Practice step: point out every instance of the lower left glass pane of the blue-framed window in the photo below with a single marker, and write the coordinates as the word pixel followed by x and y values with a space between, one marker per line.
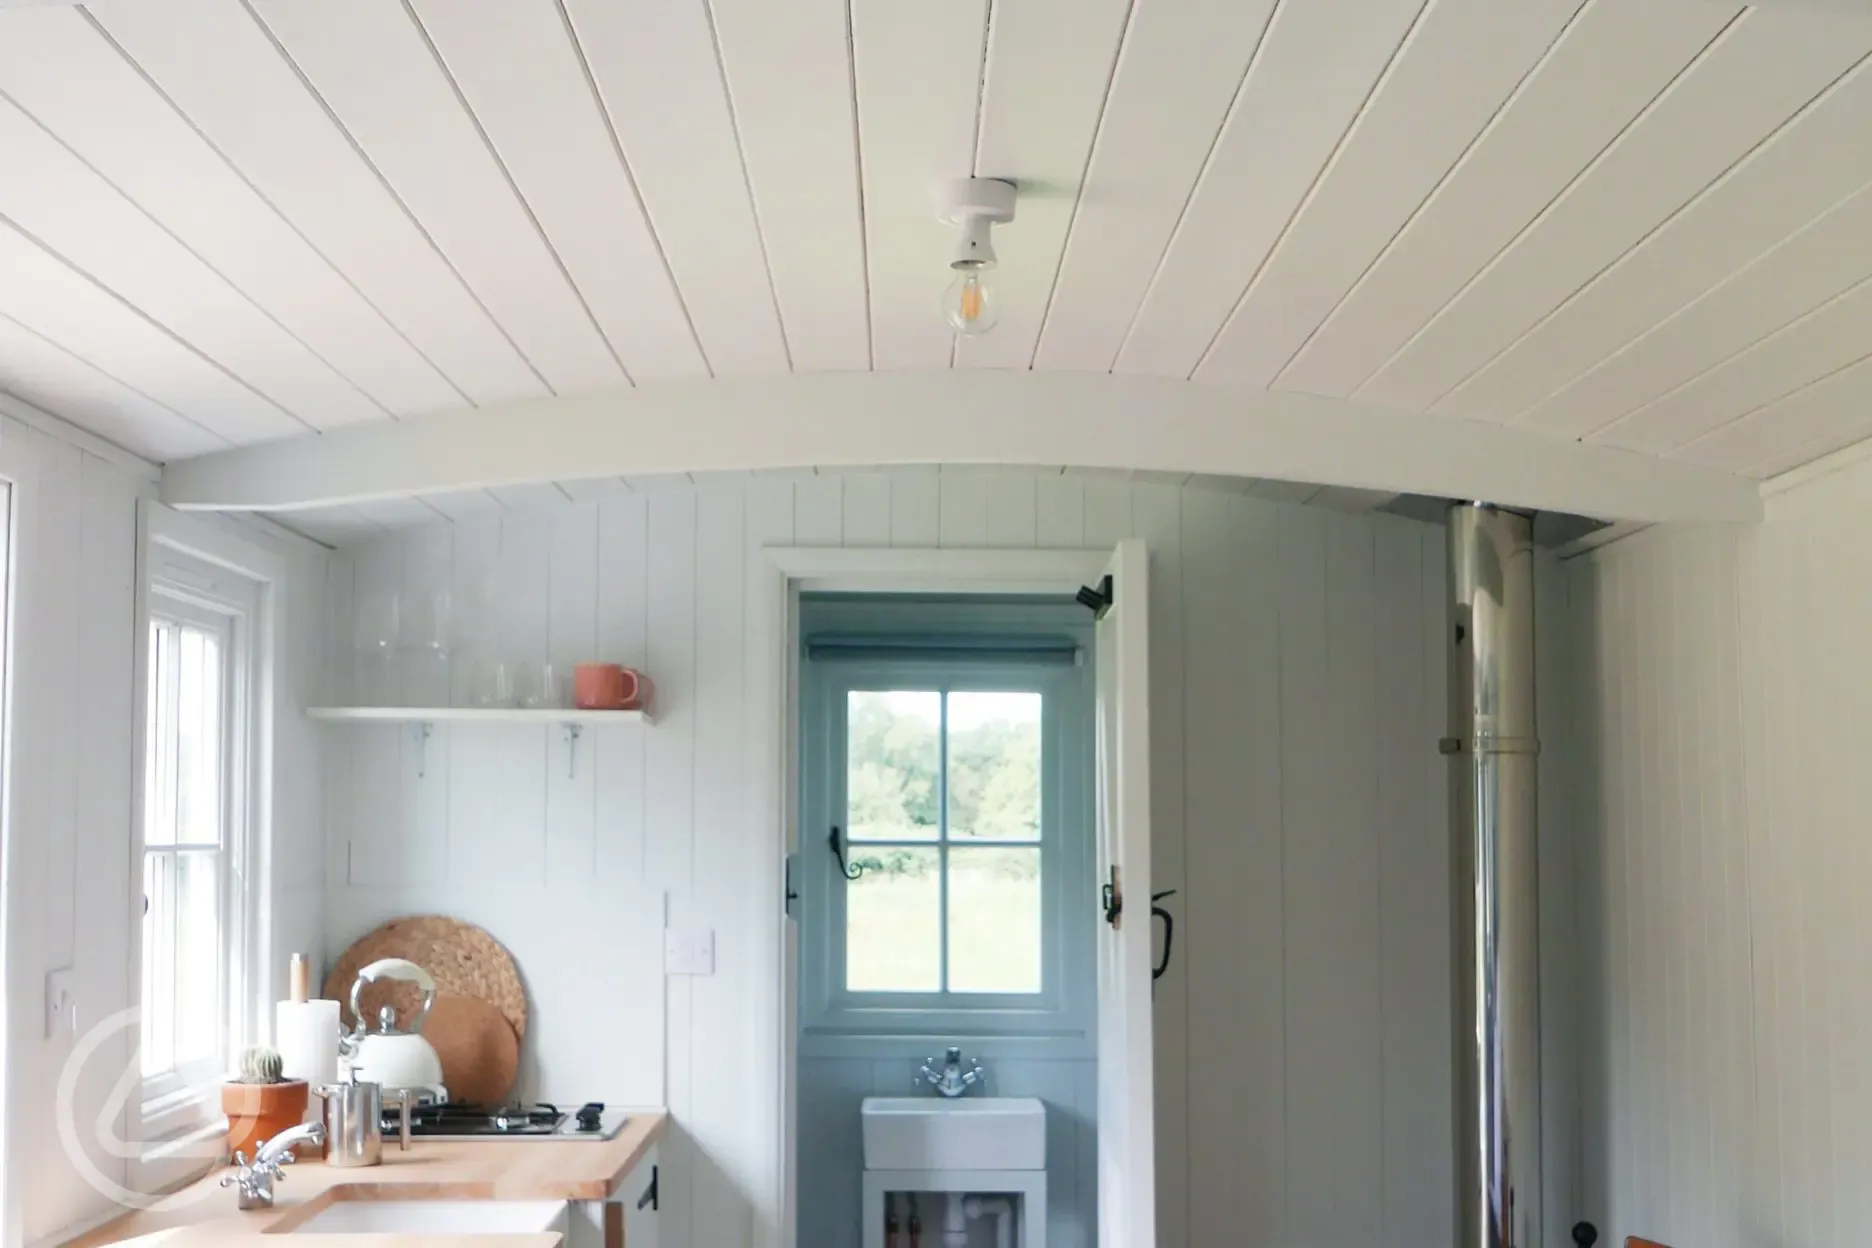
pixel 894 921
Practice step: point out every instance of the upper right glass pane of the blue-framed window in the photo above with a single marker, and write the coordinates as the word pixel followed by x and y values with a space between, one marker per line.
pixel 995 766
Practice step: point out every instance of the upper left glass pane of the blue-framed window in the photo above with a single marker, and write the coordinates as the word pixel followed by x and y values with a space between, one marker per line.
pixel 892 766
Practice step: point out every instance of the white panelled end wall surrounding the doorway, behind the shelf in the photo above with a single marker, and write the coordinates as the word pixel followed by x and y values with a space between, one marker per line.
pixel 1296 704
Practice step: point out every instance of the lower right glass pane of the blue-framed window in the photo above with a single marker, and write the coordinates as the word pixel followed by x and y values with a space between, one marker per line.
pixel 995 920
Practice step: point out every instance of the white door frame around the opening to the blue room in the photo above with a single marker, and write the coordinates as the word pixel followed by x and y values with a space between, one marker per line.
pixel 774 697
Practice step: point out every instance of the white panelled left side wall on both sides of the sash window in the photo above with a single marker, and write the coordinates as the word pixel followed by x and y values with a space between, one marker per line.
pixel 74 708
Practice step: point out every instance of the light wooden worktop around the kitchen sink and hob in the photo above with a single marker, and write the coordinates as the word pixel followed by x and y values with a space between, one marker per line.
pixel 516 1170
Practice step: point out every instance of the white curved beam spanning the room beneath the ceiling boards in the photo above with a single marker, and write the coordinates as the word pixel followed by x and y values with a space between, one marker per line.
pixel 851 420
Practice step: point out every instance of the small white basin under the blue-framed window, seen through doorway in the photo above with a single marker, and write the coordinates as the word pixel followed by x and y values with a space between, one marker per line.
pixel 969 1133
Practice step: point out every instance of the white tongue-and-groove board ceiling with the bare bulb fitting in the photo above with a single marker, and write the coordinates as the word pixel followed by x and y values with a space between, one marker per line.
pixel 1637 224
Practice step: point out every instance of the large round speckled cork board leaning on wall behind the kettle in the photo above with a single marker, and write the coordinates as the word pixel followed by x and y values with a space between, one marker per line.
pixel 463 959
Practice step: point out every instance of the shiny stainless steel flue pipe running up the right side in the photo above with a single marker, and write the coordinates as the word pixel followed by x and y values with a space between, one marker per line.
pixel 1495 880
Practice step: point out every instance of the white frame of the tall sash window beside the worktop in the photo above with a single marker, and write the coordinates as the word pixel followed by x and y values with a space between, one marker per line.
pixel 201 590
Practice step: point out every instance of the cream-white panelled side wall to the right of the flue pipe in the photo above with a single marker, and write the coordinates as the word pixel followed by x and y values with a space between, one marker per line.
pixel 1721 890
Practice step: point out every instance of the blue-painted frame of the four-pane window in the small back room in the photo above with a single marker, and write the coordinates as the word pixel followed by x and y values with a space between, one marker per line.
pixel 1062 1013
